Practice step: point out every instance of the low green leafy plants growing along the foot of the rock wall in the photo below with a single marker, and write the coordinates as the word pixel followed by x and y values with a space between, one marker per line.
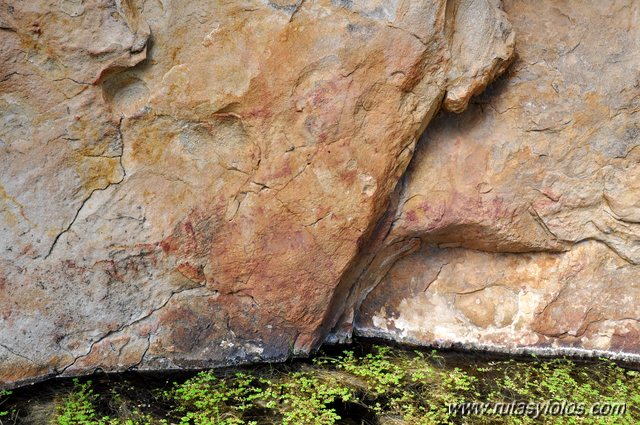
pixel 380 385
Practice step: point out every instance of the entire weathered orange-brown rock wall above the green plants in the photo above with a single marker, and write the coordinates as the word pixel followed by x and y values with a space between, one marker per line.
pixel 197 183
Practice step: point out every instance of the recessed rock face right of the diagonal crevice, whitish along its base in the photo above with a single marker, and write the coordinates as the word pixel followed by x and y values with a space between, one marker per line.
pixel 517 225
